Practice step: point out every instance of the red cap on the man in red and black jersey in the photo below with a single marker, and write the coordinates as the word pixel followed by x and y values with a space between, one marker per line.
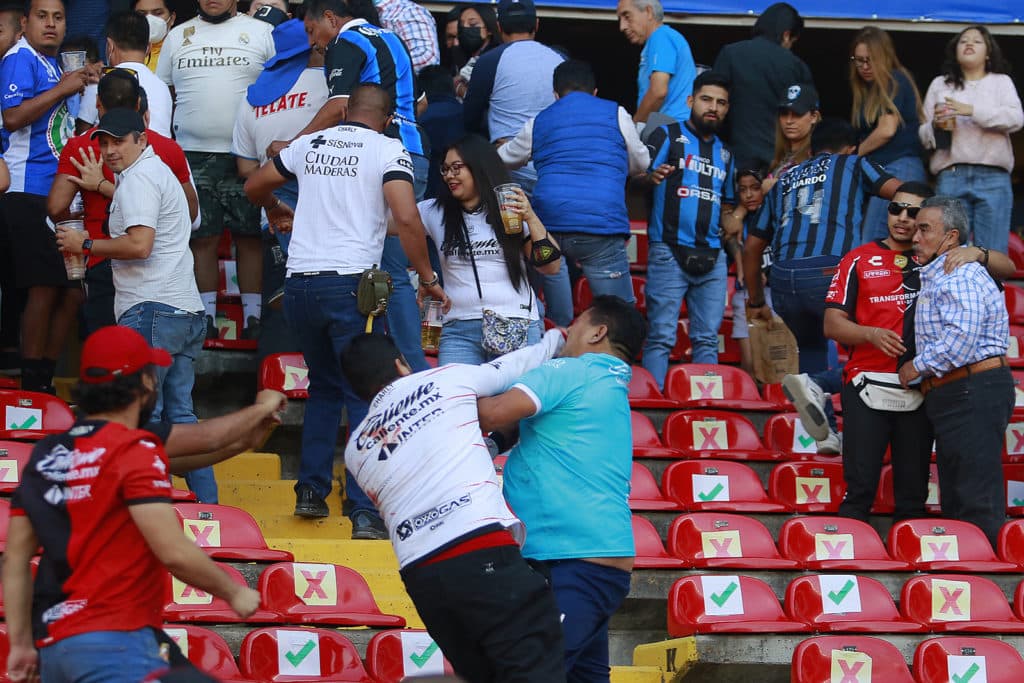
pixel 117 352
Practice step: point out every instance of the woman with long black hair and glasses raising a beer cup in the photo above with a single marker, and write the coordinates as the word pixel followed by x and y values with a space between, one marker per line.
pixel 484 258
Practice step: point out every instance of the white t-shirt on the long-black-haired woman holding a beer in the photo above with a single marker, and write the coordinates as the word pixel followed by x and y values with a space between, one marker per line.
pixel 460 285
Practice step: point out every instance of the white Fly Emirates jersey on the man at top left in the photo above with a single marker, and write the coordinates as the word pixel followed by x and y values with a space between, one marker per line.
pixel 210 66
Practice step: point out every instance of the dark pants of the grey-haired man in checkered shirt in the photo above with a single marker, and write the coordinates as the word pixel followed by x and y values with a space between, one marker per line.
pixel 970 418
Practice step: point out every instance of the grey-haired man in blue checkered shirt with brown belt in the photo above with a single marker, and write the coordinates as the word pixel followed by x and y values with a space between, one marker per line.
pixel 962 328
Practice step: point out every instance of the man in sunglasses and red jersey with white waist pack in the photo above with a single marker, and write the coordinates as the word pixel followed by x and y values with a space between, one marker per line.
pixel 870 310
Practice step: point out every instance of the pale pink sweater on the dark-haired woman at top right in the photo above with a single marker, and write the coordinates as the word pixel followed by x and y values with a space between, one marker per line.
pixel 985 138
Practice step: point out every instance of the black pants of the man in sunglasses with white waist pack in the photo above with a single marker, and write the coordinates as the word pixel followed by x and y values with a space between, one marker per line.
pixel 867 434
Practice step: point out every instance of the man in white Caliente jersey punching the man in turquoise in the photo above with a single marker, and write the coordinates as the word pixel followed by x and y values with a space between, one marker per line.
pixel 420 455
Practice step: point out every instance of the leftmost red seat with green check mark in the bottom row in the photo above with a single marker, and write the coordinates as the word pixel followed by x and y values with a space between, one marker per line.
pixel 302 655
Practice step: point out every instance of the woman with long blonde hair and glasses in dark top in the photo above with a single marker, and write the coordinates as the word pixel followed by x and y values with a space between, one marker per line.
pixel 886 113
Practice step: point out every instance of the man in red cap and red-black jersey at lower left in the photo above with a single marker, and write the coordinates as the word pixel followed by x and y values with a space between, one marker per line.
pixel 98 500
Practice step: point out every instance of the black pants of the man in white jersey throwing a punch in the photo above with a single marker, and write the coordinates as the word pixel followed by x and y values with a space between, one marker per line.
pixel 493 616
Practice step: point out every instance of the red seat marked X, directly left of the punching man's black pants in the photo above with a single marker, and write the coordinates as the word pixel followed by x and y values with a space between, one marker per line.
pixel 308 593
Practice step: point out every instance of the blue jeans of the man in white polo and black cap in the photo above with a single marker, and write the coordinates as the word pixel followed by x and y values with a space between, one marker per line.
pixel 181 333
